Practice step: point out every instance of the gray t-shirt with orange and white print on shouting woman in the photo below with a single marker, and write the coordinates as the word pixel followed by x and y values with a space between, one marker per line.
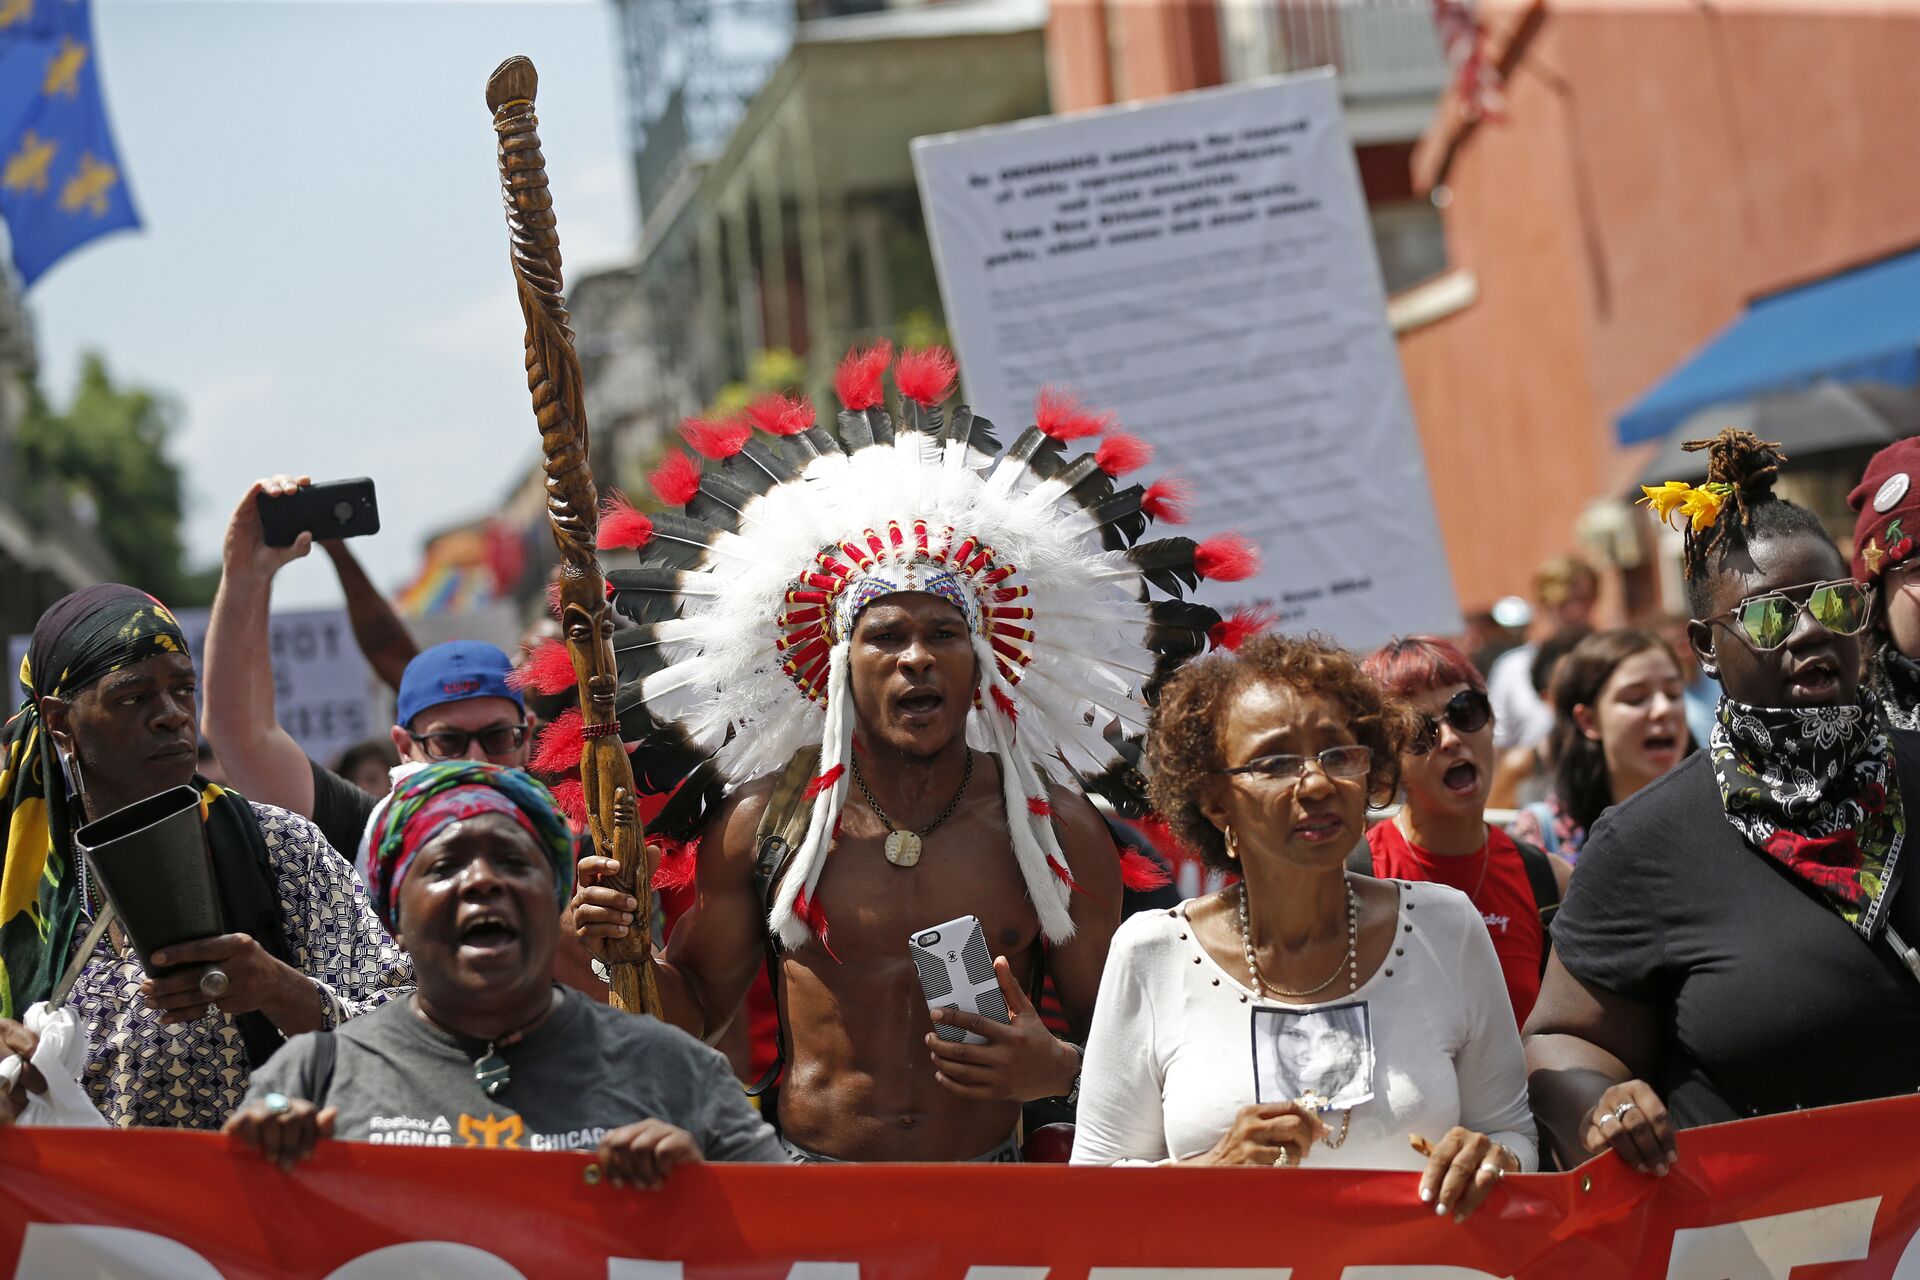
pixel 579 1076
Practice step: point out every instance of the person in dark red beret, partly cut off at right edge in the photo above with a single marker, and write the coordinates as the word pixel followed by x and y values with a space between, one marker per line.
pixel 1888 506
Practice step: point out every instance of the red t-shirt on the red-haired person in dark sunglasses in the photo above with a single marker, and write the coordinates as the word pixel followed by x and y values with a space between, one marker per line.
pixel 1497 884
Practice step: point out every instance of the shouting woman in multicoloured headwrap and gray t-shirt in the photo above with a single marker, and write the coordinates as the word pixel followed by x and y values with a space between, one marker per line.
pixel 469 866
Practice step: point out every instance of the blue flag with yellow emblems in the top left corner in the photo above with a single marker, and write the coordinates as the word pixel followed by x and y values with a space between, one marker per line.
pixel 60 178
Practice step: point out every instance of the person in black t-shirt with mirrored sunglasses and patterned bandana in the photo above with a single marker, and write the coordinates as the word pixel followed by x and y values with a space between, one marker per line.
pixel 1737 941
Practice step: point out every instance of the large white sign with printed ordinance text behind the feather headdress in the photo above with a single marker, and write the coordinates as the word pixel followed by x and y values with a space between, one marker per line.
pixel 1203 266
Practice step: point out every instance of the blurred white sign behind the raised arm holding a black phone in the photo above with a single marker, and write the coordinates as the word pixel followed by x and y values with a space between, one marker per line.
pixel 322 684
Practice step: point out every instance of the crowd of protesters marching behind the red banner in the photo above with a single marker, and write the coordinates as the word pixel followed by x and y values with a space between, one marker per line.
pixel 1685 924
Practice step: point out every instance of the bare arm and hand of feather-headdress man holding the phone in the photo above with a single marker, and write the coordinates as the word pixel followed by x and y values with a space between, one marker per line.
pixel 1022 1060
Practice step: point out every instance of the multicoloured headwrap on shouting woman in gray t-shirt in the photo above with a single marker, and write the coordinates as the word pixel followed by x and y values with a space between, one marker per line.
pixel 444 794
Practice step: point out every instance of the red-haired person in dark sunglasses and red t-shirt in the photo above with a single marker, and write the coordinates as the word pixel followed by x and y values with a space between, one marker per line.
pixel 1441 832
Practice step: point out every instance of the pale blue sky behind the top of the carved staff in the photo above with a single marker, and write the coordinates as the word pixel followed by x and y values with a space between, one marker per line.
pixel 322 283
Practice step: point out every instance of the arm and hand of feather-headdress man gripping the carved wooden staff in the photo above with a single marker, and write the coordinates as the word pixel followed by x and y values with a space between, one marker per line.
pixel 715 951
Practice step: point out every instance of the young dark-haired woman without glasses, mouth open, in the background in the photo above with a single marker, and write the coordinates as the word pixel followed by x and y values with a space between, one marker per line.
pixel 1620 723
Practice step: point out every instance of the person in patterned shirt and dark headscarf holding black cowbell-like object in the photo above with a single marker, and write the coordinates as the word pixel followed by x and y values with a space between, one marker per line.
pixel 107 721
